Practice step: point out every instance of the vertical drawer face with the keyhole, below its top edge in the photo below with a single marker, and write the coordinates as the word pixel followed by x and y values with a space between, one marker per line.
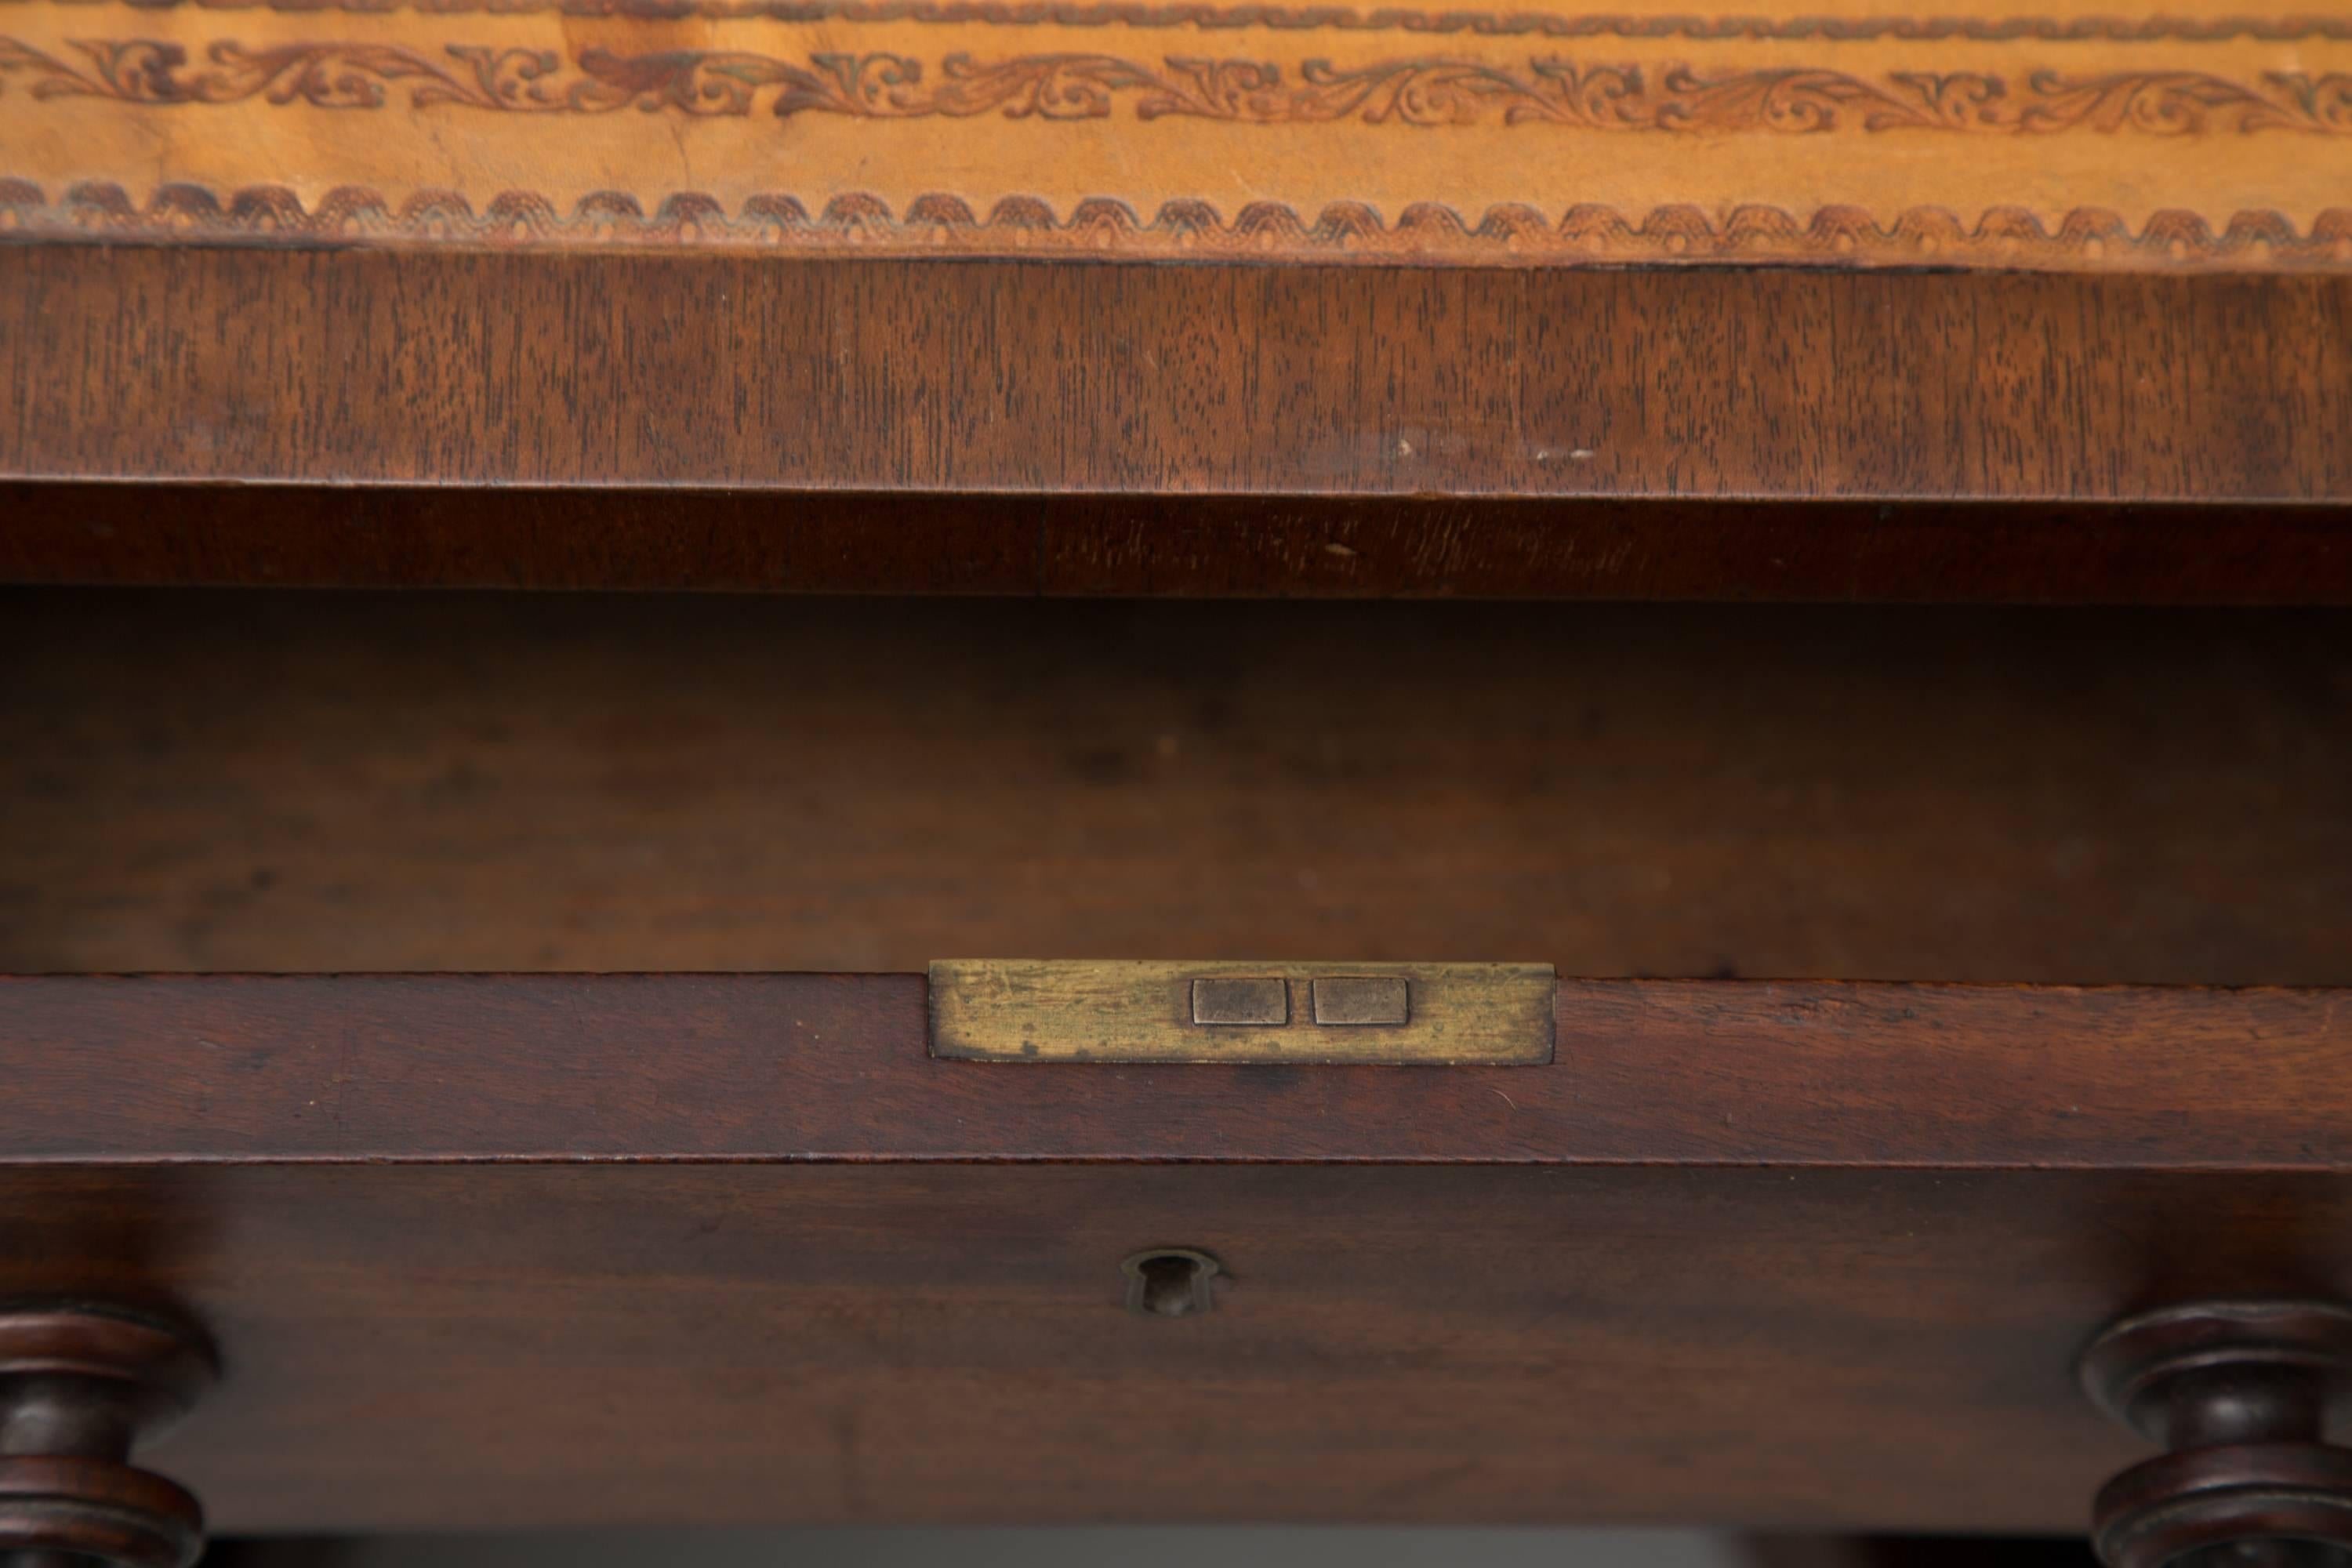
pixel 629 1343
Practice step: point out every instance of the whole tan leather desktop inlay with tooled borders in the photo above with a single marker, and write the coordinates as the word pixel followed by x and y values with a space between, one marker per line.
pixel 1855 133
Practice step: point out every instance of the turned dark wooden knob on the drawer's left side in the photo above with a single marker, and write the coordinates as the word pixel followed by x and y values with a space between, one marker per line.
pixel 79 1388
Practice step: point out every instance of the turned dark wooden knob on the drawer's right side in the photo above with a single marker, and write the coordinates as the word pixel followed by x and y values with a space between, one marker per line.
pixel 2243 1398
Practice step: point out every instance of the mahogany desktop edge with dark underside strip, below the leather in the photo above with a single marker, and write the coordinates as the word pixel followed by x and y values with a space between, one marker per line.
pixel 704 422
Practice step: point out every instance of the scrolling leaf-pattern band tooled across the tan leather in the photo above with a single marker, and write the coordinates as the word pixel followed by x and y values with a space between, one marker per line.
pixel 1417 93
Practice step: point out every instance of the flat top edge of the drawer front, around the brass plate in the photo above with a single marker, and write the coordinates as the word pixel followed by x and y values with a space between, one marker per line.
pixel 1697 1073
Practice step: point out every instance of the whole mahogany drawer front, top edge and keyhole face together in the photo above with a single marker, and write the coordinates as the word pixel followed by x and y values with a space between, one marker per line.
pixel 643 1249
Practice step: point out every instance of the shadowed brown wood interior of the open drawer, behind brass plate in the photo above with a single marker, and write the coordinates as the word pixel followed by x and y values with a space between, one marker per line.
pixel 507 782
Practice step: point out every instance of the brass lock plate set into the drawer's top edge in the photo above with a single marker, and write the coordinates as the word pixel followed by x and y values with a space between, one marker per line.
pixel 1161 1012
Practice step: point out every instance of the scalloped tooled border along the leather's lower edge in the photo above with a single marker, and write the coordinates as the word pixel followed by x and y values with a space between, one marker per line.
pixel 1189 232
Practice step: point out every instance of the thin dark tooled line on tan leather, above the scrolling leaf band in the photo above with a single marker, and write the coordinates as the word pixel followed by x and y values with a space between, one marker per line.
pixel 1339 18
